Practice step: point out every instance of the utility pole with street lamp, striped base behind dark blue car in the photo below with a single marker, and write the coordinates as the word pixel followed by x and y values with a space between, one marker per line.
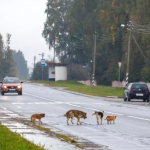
pixel 128 54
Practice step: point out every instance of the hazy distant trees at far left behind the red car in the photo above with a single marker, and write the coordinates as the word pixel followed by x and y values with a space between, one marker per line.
pixel 12 63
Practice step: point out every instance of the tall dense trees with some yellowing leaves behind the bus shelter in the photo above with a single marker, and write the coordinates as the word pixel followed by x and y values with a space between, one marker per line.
pixel 71 28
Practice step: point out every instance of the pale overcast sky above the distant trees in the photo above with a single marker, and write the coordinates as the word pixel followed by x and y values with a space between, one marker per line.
pixel 24 19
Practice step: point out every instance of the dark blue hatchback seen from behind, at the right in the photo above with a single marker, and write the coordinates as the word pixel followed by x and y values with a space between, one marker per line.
pixel 136 91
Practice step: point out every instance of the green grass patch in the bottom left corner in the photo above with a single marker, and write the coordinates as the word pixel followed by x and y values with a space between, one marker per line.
pixel 13 141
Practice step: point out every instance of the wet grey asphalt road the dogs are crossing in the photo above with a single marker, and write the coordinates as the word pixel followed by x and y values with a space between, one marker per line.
pixel 130 131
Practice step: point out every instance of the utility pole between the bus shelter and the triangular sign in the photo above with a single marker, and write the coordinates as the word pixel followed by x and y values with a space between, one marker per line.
pixel 94 56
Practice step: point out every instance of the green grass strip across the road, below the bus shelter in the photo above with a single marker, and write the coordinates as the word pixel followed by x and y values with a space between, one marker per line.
pixel 90 90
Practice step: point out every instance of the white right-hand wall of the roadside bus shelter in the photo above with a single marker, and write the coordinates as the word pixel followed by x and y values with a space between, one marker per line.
pixel 60 73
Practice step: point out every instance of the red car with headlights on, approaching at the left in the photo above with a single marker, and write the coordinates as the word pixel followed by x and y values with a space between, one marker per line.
pixel 11 85
